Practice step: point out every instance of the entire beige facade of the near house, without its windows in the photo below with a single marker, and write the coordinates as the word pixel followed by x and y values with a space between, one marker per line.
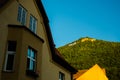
pixel 12 30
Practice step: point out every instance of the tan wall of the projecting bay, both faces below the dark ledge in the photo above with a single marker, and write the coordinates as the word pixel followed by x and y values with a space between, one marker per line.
pixel 24 40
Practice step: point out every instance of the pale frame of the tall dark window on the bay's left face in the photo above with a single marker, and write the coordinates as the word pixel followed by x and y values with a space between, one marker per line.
pixel 6 57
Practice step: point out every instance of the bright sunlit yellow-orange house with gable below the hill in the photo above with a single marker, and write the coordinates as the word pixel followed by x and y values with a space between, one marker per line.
pixel 94 73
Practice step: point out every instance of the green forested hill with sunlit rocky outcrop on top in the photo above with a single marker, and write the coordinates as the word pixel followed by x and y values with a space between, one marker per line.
pixel 85 52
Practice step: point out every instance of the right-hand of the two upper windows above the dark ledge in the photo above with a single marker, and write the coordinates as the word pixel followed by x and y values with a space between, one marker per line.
pixel 33 24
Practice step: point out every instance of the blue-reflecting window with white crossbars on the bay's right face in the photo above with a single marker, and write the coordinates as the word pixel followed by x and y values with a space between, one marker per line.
pixel 31 60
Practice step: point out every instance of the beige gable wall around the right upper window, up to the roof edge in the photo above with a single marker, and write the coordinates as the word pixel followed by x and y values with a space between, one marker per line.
pixel 32 9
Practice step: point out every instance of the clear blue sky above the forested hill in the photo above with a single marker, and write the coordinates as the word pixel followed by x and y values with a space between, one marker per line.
pixel 73 19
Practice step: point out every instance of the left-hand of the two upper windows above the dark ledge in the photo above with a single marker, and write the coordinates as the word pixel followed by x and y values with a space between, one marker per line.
pixel 21 15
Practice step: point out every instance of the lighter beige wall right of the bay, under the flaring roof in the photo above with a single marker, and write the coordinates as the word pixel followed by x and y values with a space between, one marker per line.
pixel 50 69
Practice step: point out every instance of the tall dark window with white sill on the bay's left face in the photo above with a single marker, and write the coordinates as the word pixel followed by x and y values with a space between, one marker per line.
pixel 9 61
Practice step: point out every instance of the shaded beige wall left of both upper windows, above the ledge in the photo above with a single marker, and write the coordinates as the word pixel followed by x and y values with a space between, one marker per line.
pixel 8 14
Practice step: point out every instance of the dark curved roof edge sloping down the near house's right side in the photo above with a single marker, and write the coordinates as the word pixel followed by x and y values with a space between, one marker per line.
pixel 57 58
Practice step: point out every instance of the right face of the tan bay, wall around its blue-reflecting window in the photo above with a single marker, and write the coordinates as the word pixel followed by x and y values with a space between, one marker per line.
pixel 29 40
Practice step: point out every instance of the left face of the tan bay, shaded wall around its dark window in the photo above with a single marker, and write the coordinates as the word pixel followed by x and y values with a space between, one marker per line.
pixel 14 35
